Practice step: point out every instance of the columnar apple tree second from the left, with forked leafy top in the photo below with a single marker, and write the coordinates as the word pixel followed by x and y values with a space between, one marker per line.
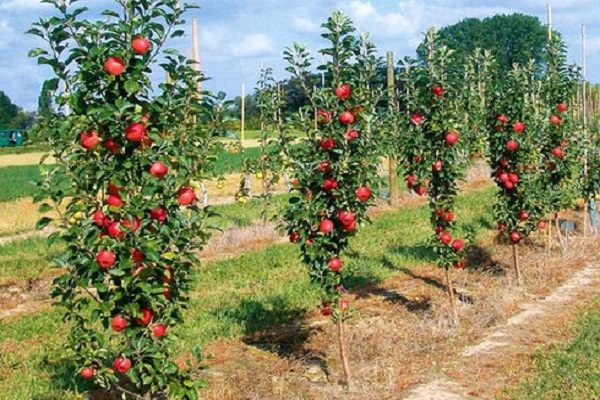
pixel 335 166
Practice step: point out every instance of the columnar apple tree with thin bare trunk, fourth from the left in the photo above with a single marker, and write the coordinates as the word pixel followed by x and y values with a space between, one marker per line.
pixel 516 123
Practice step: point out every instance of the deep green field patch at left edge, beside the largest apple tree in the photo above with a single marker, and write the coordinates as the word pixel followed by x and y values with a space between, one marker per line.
pixel 16 182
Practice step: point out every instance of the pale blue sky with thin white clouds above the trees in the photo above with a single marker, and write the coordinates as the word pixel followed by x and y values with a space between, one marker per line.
pixel 237 36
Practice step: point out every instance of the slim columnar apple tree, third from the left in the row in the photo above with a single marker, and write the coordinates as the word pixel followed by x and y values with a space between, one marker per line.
pixel 432 149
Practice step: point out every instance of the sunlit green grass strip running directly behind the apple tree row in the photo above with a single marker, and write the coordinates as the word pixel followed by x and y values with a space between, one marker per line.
pixel 234 297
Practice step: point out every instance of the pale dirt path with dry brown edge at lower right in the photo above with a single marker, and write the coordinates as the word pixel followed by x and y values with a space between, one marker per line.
pixel 483 370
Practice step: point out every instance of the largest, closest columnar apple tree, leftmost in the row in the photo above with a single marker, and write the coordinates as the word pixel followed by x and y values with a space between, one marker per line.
pixel 126 155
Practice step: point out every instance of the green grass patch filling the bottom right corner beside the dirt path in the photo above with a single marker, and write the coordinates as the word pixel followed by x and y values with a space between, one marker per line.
pixel 568 371
